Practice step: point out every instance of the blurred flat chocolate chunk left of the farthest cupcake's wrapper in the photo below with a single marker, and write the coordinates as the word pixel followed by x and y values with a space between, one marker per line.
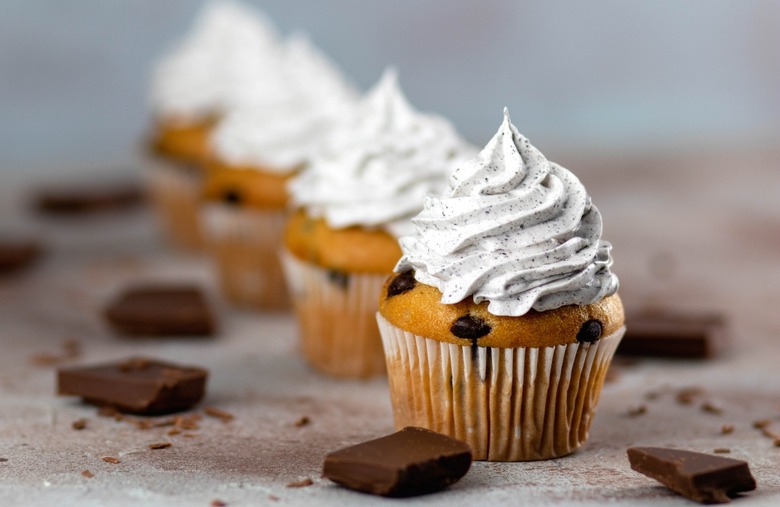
pixel 88 197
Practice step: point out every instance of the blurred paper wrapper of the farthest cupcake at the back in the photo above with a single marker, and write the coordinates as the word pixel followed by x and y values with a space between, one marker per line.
pixel 175 193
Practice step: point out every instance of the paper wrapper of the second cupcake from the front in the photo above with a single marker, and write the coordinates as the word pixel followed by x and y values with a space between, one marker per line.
pixel 337 318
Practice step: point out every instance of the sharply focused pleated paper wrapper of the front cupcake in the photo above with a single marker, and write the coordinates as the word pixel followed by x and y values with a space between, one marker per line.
pixel 510 404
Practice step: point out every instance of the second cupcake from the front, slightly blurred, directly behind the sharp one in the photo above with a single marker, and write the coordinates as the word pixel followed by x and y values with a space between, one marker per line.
pixel 350 205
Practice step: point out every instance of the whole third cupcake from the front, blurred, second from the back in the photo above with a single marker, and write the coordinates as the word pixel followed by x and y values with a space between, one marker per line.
pixel 258 146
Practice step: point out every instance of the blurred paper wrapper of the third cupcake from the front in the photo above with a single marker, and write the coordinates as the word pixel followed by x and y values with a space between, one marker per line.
pixel 245 244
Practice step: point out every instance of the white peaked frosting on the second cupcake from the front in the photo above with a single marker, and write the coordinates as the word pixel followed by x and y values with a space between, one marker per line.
pixel 376 167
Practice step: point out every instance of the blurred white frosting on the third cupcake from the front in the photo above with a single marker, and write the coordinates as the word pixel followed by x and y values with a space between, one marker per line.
pixel 281 122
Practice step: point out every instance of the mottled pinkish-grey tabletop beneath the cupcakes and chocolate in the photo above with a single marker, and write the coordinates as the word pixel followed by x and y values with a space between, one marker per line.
pixel 688 232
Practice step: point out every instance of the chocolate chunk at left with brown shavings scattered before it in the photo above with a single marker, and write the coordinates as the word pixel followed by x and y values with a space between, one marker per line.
pixel 136 385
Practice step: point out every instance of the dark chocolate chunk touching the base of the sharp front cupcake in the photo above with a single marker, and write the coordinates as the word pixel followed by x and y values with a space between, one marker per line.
pixel 413 461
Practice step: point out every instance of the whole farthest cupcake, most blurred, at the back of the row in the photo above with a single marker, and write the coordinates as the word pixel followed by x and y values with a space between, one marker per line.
pixel 191 89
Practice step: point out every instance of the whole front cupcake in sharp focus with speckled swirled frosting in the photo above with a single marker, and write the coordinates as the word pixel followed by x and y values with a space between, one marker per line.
pixel 503 315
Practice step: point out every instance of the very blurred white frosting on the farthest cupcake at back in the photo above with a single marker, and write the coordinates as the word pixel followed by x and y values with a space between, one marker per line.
pixel 228 44
